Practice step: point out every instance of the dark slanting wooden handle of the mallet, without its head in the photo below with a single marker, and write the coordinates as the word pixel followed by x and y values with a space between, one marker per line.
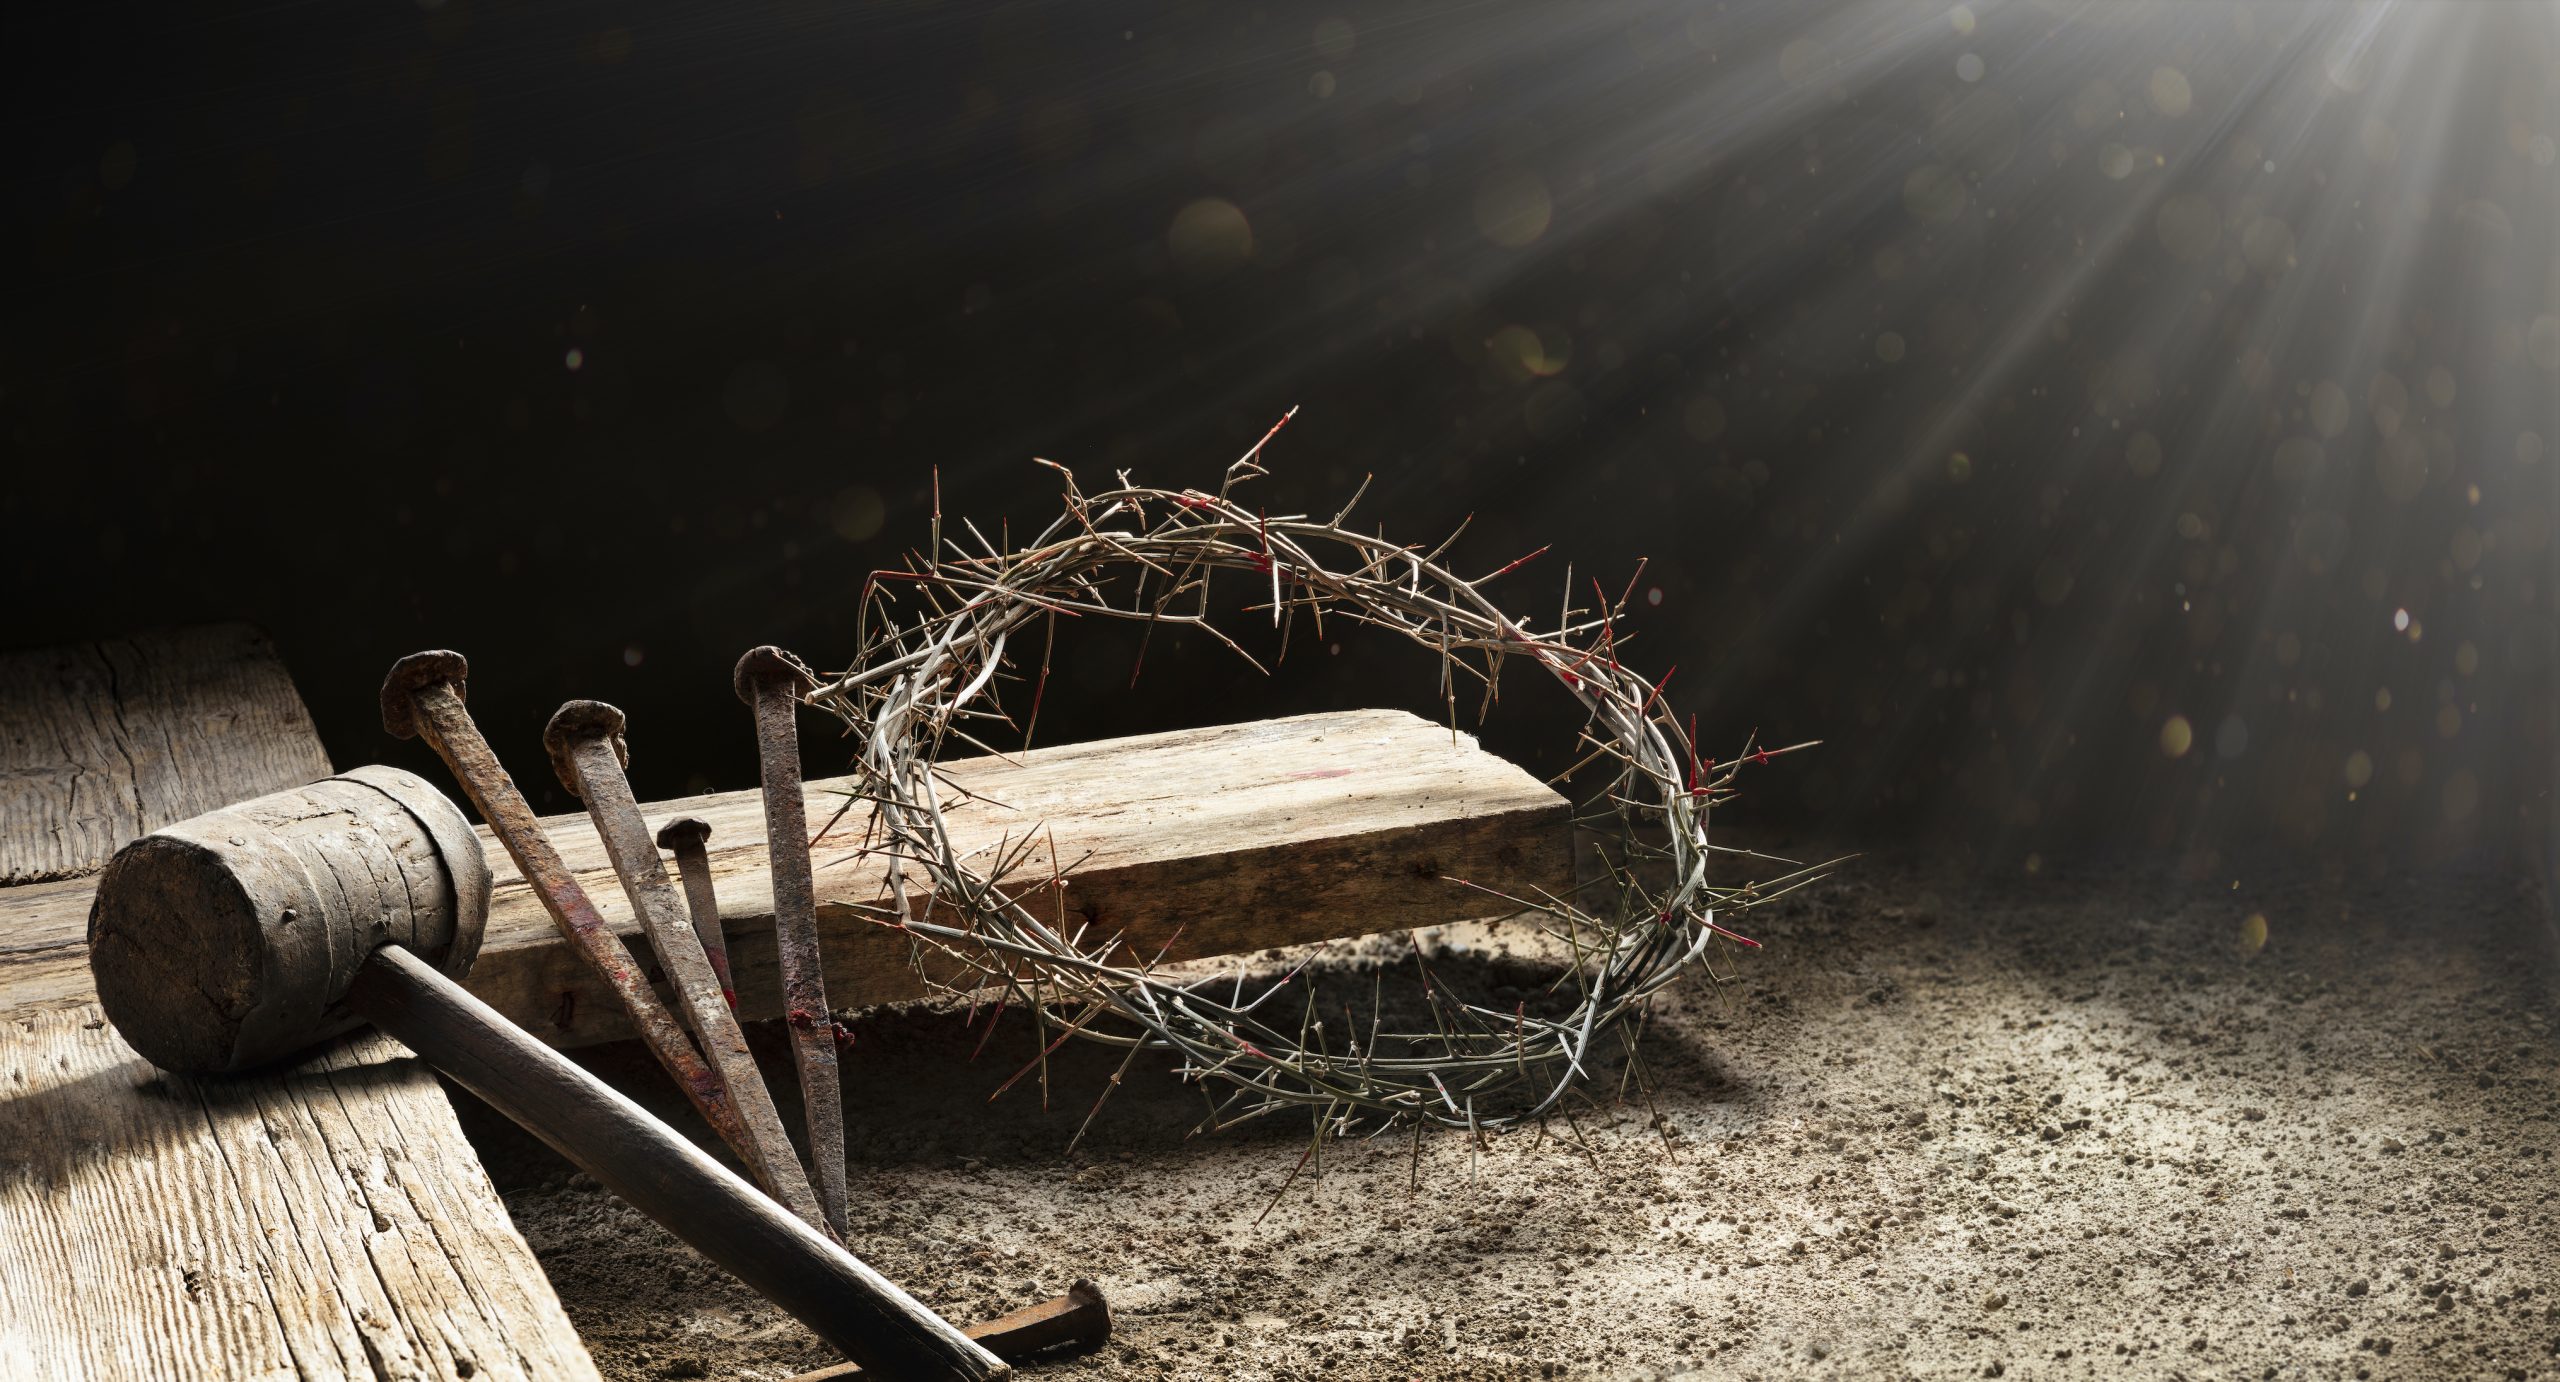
pixel 662 1173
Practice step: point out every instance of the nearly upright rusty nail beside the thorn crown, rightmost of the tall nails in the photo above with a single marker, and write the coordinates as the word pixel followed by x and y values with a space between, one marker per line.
pixel 774 682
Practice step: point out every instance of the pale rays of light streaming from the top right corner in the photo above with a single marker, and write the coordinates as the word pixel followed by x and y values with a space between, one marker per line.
pixel 2190 329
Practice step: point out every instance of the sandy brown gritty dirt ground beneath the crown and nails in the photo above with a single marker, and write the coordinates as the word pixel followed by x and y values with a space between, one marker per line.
pixel 2070 1125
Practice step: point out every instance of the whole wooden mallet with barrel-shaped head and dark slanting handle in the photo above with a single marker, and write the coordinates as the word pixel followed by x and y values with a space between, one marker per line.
pixel 247 935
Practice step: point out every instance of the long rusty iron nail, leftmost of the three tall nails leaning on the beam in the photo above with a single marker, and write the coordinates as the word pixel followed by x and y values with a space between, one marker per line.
pixel 424 697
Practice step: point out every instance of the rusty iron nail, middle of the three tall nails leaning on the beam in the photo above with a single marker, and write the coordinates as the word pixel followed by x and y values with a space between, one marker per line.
pixel 585 743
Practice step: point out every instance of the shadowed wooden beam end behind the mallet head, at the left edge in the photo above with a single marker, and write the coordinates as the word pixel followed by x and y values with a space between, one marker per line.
pixel 111 741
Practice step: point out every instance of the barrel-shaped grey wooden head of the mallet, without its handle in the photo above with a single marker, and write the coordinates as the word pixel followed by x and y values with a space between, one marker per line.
pixel 229 941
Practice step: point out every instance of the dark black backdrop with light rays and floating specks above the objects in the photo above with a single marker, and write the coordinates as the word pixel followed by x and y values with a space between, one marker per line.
pixel 2095 462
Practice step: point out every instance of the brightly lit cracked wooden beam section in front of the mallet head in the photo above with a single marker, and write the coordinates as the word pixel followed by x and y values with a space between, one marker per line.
pixel 324 1222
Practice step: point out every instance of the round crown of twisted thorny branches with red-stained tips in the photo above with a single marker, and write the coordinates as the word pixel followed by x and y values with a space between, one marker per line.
pixel 936 636
